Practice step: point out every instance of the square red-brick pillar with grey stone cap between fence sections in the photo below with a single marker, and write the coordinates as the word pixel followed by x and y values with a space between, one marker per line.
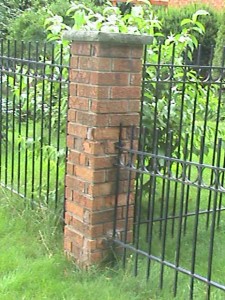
pixel 105 90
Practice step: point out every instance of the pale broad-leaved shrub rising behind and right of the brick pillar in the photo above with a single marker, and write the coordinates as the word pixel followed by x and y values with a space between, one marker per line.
pixel 176 48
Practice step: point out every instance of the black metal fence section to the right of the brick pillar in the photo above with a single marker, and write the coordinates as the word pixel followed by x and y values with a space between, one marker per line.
pixel 179 166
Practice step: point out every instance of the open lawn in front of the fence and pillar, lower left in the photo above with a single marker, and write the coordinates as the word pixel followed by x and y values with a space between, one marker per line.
pixel 33 266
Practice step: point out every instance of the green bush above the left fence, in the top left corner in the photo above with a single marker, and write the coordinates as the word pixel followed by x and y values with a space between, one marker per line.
pixel 25 20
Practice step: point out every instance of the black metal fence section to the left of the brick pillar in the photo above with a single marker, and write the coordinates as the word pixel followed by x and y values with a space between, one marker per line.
pixel 33 106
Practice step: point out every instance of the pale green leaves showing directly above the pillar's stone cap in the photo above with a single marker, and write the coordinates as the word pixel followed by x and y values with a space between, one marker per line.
pixel 139 20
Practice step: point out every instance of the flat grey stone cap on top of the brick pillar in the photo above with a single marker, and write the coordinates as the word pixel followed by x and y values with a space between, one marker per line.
pixel 104 37
